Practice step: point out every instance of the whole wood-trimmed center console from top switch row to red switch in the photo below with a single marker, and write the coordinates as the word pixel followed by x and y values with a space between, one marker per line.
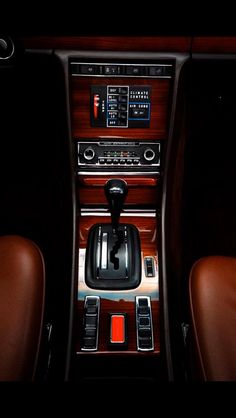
pixel 120 111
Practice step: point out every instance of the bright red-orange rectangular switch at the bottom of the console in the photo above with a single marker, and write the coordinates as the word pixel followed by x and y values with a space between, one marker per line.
pixel 118 330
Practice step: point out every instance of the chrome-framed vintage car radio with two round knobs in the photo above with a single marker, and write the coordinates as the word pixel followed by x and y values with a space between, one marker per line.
pixel 115 155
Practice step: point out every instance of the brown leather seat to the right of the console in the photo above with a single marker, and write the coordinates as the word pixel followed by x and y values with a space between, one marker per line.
pixel 212 288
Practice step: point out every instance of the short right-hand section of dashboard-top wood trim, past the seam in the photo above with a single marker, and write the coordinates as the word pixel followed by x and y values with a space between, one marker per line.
pixel 216 44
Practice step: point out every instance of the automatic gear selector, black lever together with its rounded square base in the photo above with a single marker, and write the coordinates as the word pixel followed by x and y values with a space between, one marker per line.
pixel 113 257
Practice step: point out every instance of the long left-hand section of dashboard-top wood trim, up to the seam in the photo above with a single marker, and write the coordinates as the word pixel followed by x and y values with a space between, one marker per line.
pixel 116 43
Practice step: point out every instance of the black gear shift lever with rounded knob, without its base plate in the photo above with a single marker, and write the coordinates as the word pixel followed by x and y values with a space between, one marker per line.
pixel 116 191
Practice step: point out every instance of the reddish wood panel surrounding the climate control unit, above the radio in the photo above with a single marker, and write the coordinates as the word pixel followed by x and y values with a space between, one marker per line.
pixel 80 109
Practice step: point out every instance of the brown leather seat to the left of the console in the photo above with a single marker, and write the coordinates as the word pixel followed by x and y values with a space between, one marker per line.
pixel 22 287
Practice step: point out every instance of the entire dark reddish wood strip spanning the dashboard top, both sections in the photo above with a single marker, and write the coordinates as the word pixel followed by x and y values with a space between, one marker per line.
pixel 200 44
